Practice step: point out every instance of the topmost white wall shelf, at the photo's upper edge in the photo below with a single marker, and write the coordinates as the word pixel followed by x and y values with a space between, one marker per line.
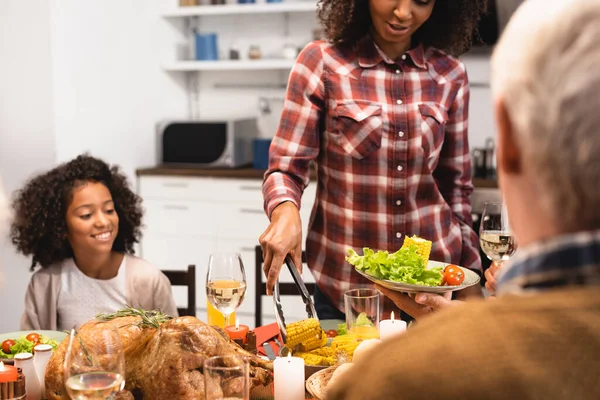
pixel 235 9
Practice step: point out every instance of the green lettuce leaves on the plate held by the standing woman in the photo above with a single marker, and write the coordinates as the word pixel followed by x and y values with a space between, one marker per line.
pixel 405 266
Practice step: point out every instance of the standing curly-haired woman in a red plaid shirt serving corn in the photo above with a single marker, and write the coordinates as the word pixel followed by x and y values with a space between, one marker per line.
pixel 382 108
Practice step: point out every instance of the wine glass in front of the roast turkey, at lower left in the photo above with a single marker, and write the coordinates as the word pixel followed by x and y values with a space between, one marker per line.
pixel 94 365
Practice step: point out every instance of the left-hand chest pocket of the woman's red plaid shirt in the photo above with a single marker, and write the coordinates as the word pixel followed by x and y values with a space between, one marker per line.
pixel 357 128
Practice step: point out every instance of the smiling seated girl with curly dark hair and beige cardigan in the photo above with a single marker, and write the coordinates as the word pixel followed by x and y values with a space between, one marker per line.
pixel 79 222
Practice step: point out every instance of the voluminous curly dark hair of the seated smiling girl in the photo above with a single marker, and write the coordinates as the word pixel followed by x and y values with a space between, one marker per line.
pixel 40 228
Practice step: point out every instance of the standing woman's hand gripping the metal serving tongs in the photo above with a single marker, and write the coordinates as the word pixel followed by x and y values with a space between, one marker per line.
pixel 283 236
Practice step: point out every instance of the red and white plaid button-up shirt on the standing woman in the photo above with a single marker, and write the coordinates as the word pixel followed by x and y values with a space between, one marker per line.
pixel 390 142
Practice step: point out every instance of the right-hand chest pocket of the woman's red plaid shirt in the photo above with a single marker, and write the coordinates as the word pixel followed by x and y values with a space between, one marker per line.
pixel 432 120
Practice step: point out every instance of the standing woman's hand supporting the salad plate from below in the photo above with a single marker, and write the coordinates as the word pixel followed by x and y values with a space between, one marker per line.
pixel 421 304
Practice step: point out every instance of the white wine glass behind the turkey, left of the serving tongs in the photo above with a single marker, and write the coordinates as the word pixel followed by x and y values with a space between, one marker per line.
pixel 225 282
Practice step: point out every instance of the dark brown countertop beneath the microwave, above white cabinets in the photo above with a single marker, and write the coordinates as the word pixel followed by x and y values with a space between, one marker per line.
pixel 245 173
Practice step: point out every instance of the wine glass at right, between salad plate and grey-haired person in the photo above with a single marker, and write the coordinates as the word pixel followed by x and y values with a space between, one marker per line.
pixel 495 236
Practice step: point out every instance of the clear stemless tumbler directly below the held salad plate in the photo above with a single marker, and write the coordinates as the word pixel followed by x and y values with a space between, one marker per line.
pixel 362 312
